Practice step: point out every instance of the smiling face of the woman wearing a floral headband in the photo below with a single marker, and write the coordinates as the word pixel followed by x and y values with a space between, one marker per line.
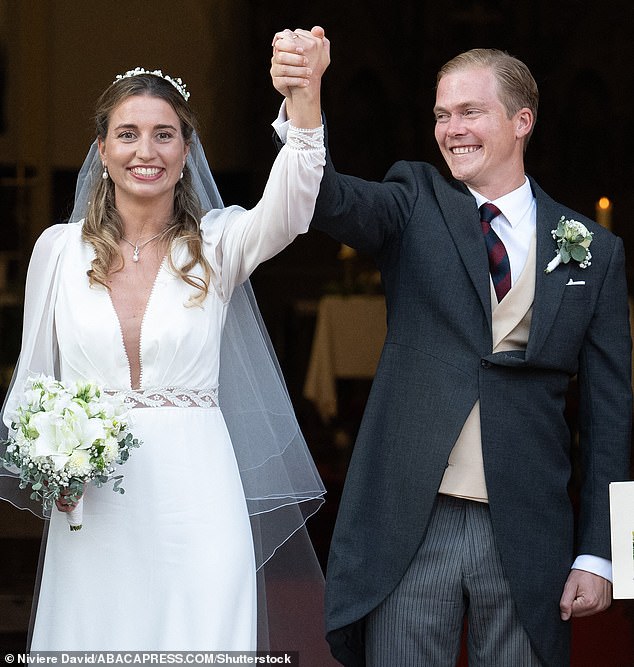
pixel 144 149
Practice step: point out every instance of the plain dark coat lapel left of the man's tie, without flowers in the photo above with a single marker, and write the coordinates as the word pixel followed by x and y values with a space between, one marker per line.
pixel 460 212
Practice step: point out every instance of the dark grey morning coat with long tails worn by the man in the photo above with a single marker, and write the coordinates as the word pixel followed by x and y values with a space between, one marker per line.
pixel 425 235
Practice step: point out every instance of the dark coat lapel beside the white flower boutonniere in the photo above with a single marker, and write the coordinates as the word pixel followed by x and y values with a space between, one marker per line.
pixel 549 288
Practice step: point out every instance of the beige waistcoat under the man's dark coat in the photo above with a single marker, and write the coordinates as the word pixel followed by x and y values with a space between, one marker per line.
pixel 511 319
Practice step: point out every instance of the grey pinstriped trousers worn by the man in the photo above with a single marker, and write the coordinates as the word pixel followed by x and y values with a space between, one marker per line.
pixel 456 573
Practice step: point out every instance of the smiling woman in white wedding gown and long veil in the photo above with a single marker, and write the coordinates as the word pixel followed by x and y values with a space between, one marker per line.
pixel 146 292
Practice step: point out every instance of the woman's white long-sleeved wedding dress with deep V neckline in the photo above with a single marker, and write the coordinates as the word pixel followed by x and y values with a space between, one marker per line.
pixel 170 564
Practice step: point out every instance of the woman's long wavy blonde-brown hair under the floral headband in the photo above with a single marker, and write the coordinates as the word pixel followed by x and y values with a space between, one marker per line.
pixel 103 227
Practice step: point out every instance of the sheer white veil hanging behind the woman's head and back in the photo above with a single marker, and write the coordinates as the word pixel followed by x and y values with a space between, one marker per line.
pixel 281 484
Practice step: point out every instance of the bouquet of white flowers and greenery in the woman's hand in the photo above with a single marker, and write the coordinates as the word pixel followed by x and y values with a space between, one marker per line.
pixel 65 437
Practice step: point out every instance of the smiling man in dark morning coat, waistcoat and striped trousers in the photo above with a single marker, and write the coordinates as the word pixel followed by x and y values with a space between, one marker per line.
pixel 455 504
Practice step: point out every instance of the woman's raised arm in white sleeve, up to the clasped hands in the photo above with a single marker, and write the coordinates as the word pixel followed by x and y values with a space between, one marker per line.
pixel 237 240
